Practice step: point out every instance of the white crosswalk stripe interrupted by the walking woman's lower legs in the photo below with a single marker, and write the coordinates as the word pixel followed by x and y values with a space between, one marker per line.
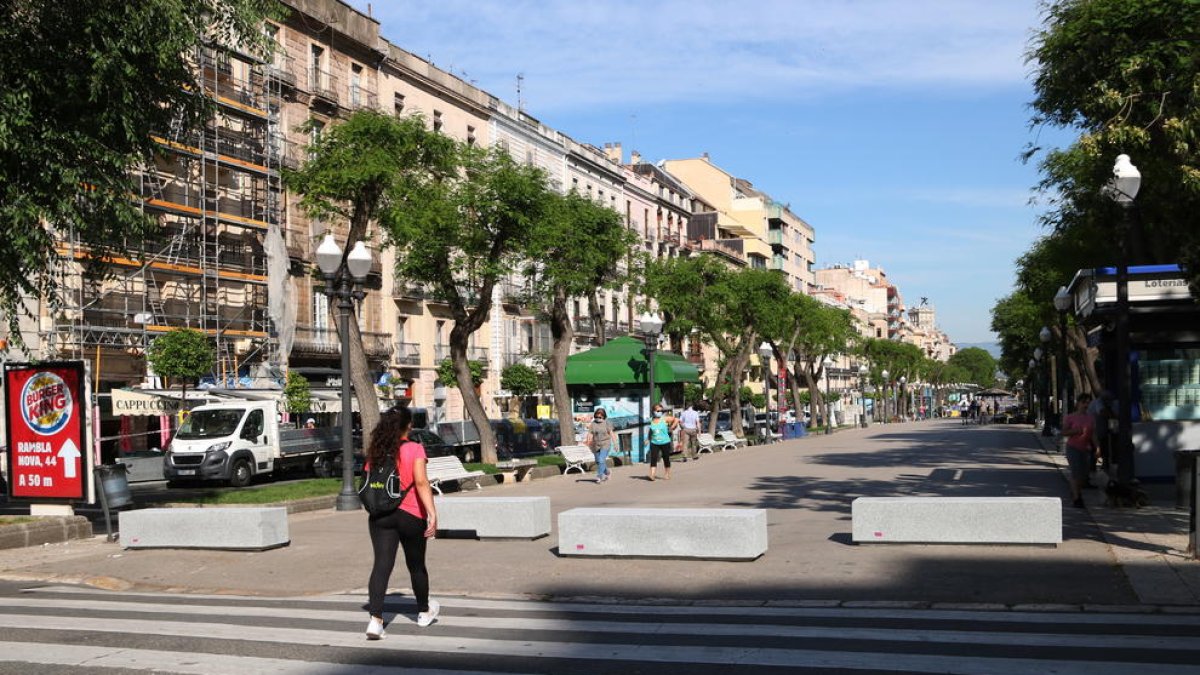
pixel 449 622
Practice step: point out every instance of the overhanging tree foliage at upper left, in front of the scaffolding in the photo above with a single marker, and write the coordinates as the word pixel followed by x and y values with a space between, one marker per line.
pixel 83 89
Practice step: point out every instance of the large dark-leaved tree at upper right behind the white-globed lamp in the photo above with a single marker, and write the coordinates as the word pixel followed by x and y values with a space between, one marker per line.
pixel 1124 74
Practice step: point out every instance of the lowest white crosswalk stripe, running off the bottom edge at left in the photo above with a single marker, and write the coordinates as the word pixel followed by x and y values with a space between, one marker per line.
pixel 194 664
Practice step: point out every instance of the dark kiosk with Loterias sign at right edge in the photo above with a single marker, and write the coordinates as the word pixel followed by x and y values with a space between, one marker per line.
pixel 1165 360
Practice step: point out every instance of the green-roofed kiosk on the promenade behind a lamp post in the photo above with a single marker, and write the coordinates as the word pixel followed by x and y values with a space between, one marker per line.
pixel 615 378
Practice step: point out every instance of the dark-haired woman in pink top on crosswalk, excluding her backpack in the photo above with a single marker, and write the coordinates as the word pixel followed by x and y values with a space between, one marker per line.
pixel 409 527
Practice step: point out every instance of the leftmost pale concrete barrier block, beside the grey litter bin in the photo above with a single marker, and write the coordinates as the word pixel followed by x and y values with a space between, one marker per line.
pixel 237 529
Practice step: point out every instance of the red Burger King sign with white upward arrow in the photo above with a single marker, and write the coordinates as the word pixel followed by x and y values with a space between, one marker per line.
pixel 45 411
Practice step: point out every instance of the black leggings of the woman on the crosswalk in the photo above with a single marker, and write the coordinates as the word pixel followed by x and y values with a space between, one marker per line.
pixel 388 533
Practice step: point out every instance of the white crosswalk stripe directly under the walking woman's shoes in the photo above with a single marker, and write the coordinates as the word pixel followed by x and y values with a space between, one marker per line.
pixel 741 656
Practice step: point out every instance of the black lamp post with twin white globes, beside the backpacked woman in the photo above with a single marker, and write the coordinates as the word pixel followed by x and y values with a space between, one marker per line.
pixel 344 282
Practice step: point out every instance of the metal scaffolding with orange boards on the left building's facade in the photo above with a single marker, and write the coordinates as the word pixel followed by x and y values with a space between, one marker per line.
pixel 215 194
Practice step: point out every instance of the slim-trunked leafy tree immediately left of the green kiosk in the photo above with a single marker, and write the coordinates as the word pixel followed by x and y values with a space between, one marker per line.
pixel 578 249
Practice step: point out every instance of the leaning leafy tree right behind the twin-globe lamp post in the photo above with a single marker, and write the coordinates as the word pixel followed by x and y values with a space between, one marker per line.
pixel 363 174
